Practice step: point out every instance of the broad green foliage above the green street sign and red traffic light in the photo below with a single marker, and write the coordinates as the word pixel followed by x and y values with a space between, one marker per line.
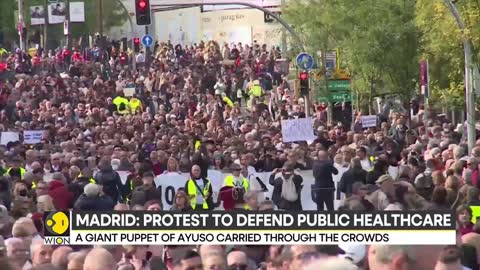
pixel 377 38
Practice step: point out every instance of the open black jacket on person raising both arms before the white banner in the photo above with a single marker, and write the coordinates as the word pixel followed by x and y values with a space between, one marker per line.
pixel 280 202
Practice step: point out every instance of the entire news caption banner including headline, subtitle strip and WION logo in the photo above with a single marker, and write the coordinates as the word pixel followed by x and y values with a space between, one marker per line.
pixel 249 228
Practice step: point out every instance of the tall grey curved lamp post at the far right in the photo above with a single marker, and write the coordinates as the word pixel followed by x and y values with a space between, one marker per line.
pixel 469 94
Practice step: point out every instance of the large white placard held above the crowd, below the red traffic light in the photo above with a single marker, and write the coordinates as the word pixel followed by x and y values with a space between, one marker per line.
pixel 297 130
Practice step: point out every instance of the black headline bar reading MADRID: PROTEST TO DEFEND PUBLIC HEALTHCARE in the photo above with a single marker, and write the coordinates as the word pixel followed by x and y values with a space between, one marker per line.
pixel 306 220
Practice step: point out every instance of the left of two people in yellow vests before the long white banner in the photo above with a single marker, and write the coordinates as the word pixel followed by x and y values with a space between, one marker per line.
pixel 199 190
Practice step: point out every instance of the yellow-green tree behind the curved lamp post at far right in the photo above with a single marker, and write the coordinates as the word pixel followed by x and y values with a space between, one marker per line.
pixel 442 45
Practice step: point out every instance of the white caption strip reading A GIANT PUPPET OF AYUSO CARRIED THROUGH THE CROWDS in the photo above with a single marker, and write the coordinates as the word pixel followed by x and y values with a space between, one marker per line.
pixel 256 237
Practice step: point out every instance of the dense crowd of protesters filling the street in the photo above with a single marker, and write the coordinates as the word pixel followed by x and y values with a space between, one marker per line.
pixel 212 106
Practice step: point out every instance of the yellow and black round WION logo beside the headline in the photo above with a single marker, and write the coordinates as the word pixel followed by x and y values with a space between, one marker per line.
pixel 56 228
